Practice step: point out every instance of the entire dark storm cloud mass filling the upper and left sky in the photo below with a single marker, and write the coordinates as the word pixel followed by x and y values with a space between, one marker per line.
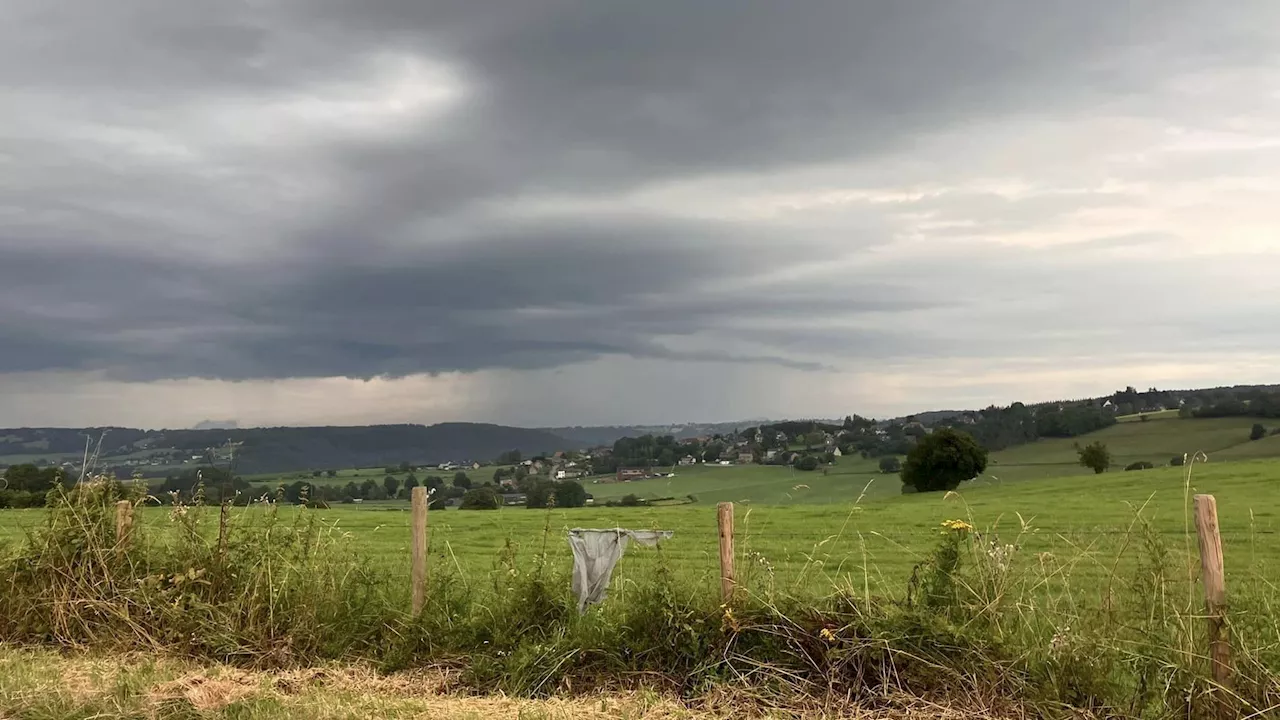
pixel 156 225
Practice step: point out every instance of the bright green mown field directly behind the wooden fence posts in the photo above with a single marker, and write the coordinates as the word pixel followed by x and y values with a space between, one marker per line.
pixel 1084 523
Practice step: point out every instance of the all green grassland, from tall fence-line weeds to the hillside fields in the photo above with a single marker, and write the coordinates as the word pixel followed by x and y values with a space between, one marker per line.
pixel 1073 593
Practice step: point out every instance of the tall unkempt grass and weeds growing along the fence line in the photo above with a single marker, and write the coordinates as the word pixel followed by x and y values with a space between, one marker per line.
pixel 979 619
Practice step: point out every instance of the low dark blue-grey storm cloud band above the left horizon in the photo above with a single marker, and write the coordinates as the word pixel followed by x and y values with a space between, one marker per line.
pixel 557 297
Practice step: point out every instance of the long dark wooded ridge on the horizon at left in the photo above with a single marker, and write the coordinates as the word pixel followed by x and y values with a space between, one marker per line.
pixel 276 450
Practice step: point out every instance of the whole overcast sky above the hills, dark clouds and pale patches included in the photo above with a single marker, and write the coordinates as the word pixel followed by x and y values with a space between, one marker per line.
pixel 597 212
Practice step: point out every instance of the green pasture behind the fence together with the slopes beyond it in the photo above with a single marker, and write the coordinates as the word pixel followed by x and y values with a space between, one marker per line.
pixel 851 523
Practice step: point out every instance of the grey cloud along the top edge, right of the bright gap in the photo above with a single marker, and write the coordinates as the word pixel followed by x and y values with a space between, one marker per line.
pixel 589 97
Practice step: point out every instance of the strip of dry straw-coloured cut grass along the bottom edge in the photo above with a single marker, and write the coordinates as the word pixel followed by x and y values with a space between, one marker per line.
pixel 43 685
